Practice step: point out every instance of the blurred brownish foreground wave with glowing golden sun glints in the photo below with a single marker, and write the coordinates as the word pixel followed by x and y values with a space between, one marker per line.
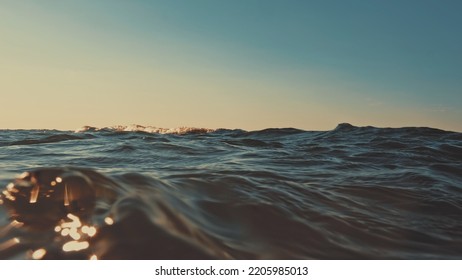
pixel 80 213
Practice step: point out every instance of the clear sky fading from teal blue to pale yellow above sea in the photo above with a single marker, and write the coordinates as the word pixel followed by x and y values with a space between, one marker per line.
pixel 247 64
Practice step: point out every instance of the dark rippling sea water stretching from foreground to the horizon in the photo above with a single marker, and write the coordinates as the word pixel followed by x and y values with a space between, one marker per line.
pixel 348 193
